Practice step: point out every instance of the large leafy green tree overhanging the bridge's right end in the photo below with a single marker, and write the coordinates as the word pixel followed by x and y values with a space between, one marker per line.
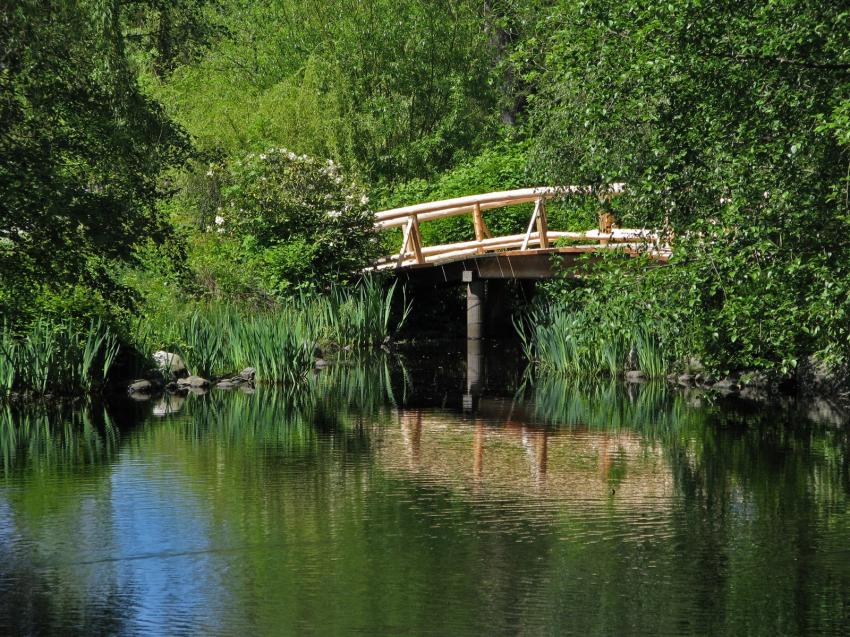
pixel 726 119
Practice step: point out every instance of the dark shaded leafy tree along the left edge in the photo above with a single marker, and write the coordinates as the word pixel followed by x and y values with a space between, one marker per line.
pixel 82 150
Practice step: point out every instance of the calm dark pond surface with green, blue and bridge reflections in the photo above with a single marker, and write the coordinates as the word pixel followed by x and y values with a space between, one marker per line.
pixel 399 501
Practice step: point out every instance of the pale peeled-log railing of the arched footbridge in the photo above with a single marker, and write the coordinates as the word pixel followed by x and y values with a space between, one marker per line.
pixel 537 236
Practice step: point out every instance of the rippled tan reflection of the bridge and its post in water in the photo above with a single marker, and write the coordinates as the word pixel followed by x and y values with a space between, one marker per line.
pixel 497 443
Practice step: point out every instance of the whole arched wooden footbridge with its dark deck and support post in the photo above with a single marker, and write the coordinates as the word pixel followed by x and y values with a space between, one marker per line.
pixel 536 254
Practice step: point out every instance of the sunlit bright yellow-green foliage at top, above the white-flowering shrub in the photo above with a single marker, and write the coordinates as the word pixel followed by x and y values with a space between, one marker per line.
pixel 395 87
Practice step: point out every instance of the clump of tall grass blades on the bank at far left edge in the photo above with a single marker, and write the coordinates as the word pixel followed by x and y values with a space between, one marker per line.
pixel 56 358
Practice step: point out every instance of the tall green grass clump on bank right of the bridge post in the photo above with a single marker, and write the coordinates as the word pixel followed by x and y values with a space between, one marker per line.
pixel 570 342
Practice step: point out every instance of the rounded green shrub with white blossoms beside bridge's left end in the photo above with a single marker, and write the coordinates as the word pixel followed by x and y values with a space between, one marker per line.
pixel 300 222
